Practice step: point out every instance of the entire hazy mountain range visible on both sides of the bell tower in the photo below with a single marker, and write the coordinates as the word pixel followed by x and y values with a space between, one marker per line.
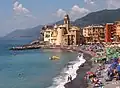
pixel 99 17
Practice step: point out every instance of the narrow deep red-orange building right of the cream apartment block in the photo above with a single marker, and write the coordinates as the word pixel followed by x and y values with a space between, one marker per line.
pixel 109 32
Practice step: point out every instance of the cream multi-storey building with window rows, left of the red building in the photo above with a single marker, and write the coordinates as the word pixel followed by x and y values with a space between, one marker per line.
pixel 93 34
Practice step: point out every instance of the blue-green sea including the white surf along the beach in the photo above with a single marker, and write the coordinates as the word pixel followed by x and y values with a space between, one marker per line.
pixel 33 68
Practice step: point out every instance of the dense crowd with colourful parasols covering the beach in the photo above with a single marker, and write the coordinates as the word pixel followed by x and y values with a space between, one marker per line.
pixel 110 64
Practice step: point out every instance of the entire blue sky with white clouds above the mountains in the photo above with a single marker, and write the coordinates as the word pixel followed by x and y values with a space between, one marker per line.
pixel 22 14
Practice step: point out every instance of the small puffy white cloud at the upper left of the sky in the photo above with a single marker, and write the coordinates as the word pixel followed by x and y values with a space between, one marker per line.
pixel 19 9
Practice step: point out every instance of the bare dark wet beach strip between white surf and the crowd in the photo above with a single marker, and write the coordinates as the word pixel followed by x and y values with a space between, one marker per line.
pixel 79 81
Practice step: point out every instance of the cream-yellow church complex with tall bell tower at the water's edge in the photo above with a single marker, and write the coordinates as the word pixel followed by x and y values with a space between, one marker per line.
pixel 62 34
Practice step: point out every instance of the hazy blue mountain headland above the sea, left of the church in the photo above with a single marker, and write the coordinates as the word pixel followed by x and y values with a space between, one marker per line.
pixel 29 33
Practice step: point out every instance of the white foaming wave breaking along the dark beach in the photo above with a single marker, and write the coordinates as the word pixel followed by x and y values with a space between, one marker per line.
pixel 70 69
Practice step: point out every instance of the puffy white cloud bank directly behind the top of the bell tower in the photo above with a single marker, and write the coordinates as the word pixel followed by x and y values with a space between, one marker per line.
pixel 75 12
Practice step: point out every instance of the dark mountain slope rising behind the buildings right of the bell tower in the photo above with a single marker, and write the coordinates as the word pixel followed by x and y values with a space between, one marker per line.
pixel 99 17
